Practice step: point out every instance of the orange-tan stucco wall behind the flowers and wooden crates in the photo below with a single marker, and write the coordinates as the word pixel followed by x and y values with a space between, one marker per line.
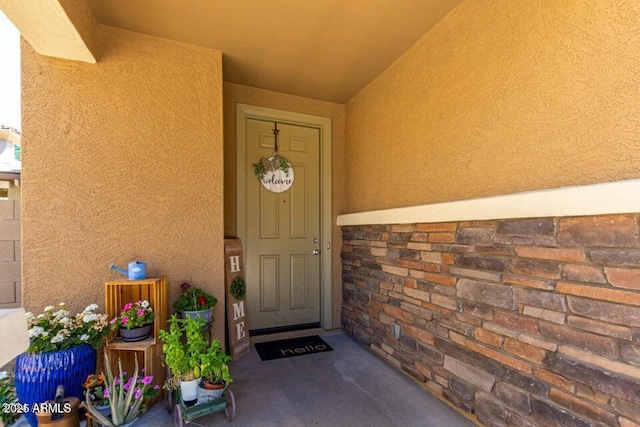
pixel 122 161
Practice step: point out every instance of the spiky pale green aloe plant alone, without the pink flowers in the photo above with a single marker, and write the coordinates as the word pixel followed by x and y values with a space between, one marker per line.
pixel 124 404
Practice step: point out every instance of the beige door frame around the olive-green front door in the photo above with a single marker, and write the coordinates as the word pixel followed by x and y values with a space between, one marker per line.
pixel 323 124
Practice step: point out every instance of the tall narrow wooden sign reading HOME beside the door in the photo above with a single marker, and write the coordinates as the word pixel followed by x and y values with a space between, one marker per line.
pixel 237 319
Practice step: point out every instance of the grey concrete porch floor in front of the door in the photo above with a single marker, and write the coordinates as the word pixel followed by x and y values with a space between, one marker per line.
pixel 349 386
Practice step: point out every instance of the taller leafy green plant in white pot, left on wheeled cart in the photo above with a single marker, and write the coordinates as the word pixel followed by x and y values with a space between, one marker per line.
pixel 182 345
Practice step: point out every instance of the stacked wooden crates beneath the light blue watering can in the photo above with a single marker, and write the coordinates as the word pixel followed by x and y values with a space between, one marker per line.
pixel 149 351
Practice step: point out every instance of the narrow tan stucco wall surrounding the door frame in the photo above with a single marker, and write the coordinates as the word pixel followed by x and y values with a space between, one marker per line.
pixel 238 94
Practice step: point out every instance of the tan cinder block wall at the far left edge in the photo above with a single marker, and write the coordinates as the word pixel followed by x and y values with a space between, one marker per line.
pixel 9 253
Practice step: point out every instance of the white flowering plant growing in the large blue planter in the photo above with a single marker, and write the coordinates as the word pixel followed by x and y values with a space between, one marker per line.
pixel 54 330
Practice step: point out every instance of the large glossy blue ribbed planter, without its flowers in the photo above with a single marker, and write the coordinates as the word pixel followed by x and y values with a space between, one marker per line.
pixel 38 375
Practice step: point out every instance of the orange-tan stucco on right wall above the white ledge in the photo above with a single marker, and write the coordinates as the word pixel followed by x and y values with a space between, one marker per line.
pixel 500 97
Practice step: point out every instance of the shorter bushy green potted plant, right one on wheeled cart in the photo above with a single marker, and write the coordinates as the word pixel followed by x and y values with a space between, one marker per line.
pixel 214 372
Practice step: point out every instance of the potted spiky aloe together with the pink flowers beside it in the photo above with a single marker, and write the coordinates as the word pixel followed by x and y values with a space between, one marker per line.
pixel 125 396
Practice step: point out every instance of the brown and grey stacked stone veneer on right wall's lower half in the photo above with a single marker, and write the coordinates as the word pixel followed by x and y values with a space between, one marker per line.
pixel 520 322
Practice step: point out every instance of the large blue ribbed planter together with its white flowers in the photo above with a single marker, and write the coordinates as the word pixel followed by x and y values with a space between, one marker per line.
pixel 62 350
